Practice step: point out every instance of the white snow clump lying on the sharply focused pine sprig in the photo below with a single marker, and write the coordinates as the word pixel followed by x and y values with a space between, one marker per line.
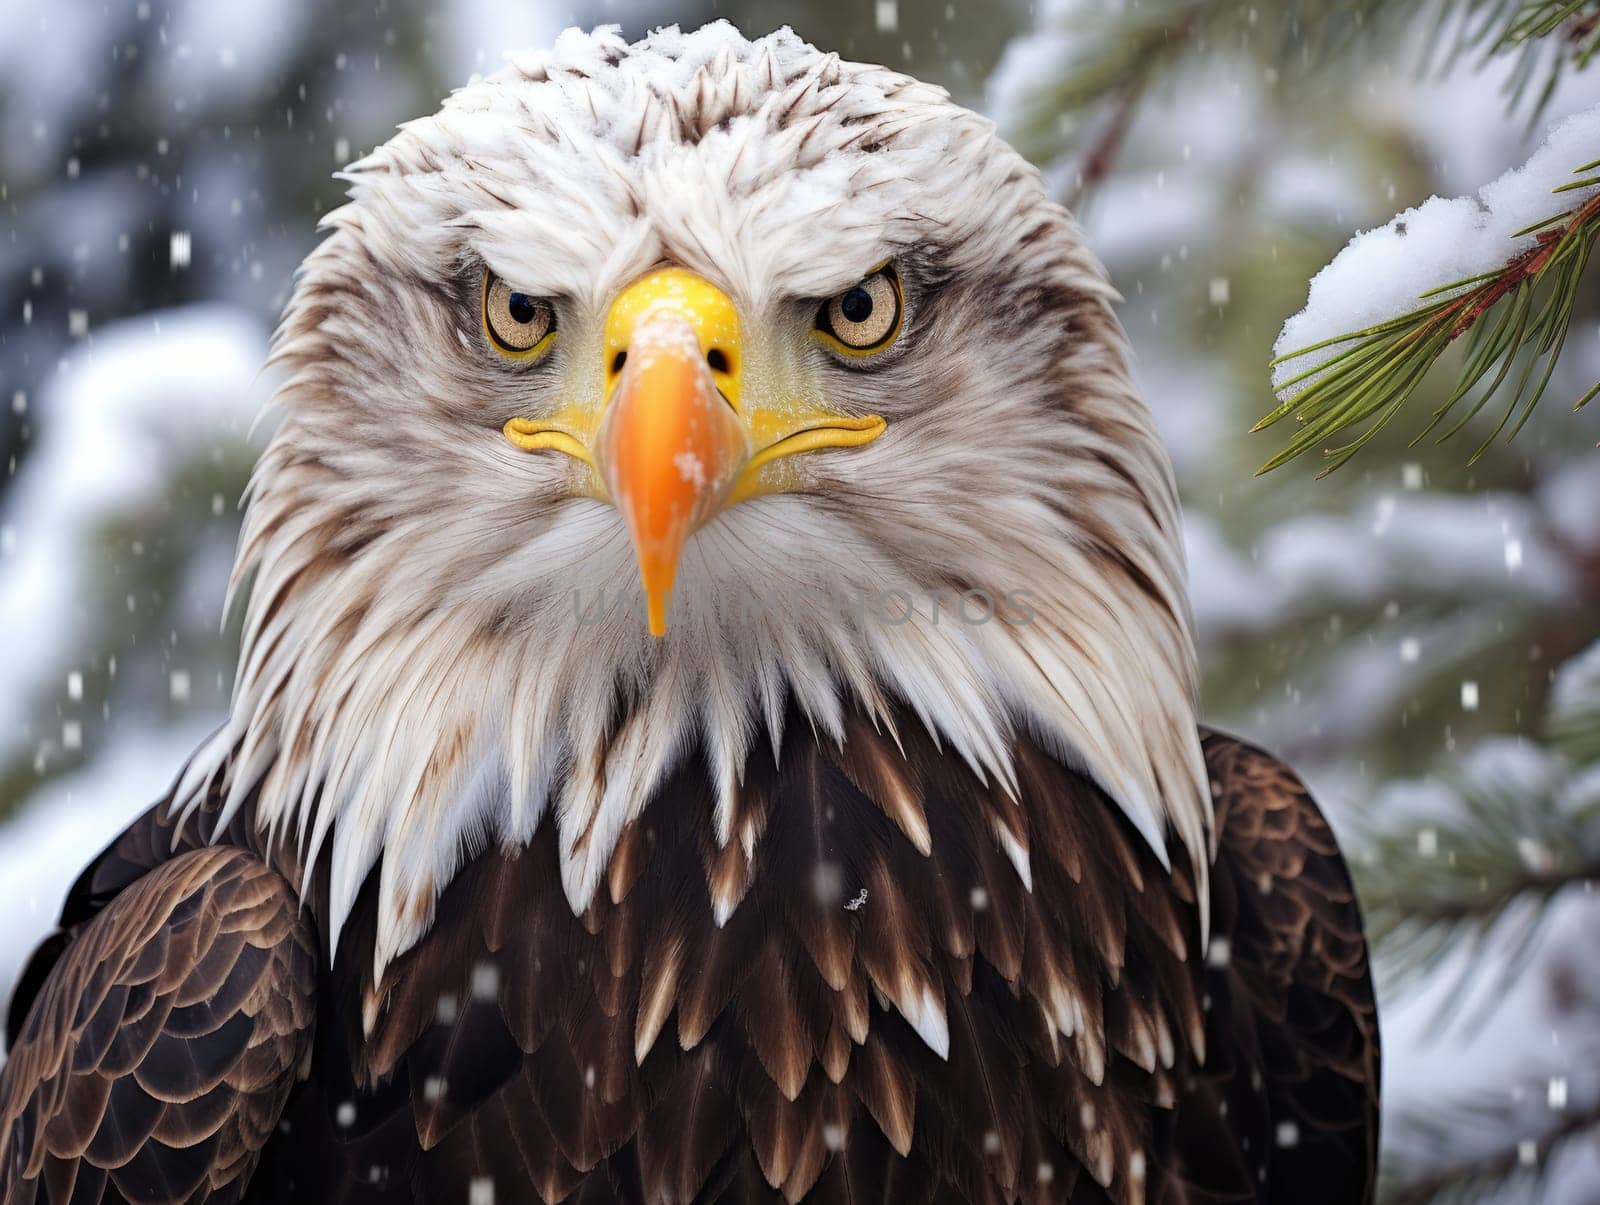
pixel 1383 274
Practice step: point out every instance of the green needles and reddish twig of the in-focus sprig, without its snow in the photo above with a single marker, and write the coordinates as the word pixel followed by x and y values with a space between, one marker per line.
pixel 1378 370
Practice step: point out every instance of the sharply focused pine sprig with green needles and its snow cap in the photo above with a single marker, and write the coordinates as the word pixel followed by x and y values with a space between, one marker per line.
pixel 1503 266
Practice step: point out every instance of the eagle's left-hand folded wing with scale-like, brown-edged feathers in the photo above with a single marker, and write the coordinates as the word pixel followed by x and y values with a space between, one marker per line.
pixel 159 1041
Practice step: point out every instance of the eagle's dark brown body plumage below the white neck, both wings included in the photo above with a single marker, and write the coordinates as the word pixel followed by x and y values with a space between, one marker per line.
pixel 642 1054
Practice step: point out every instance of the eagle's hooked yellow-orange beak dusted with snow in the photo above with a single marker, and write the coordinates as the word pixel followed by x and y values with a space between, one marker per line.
pixel 678 442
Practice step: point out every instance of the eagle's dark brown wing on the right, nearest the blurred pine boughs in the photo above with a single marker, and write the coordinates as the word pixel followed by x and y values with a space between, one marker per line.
pixel 1294 1047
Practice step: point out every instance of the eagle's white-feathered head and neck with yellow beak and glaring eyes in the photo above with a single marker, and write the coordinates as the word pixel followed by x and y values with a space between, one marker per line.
pixel 649 391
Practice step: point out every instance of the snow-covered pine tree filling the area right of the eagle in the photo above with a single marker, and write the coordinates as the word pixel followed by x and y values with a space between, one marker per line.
pixel 1418 628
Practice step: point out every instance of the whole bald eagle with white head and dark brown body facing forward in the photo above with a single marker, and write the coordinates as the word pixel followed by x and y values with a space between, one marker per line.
pixel 716 713
